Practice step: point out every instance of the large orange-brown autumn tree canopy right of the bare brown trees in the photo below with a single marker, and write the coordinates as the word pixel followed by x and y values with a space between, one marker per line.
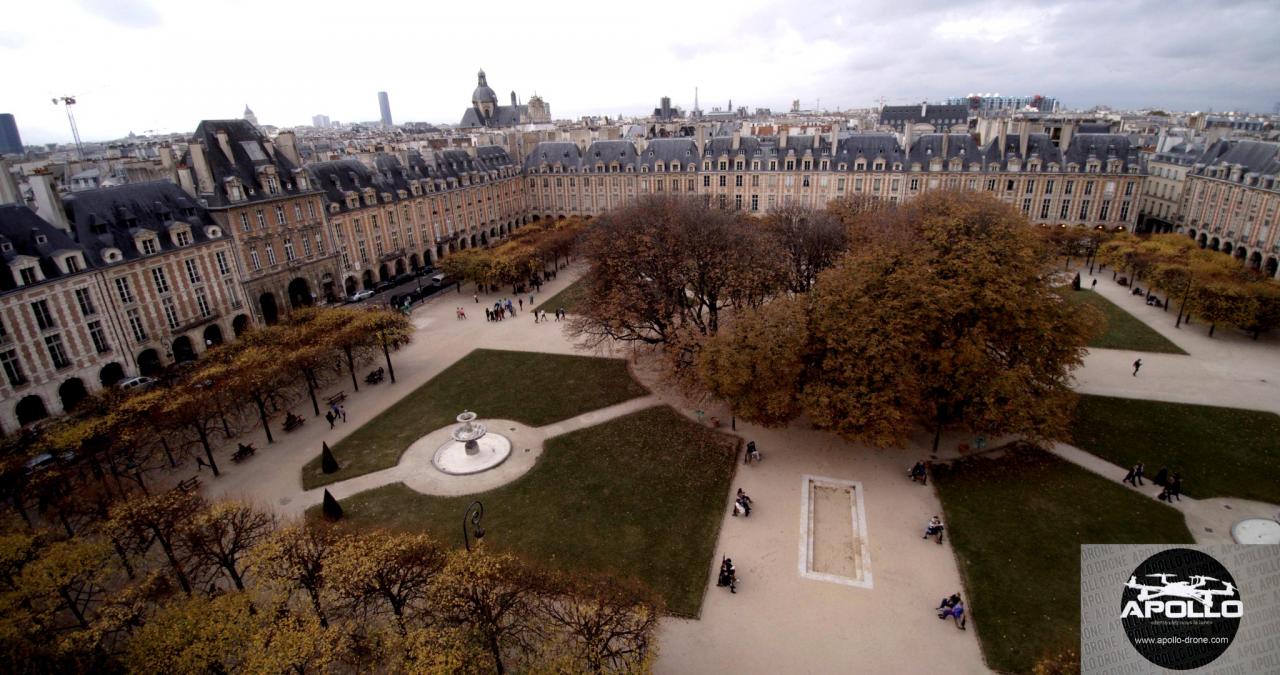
pixel 939 314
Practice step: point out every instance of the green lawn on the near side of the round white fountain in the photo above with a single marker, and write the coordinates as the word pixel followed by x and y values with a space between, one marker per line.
pixel 638 496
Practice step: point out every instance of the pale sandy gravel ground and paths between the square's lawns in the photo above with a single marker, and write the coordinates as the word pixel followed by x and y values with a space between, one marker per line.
pixel 781 619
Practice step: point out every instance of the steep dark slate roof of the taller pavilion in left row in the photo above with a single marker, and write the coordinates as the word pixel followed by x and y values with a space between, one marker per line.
pixel 249 154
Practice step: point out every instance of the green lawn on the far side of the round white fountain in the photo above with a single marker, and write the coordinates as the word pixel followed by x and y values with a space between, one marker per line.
pixel 529 387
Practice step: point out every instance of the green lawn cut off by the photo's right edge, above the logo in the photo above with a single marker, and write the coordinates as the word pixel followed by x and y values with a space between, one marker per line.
pixel 1220 451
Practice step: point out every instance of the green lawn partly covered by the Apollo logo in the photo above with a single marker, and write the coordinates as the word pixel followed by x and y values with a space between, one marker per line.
pixel 1017 526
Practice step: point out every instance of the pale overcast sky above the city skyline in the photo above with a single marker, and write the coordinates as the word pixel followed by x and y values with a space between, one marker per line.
pixel 167 65
